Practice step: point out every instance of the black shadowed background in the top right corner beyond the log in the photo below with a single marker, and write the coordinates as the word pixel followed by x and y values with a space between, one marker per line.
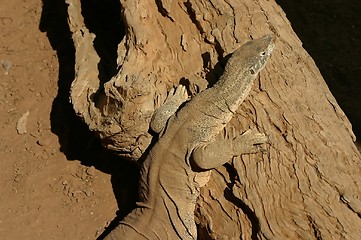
pixel 331 32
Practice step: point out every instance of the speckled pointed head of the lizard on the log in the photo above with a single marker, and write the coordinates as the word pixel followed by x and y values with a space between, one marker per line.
pixel 254 54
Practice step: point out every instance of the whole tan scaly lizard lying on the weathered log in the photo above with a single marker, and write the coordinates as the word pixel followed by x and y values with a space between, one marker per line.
pixel 179 163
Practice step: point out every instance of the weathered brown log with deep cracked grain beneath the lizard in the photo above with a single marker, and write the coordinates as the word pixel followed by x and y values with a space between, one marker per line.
pixel 306 187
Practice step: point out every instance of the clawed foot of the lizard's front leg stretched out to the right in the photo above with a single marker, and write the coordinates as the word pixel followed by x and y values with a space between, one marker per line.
pixel 249 142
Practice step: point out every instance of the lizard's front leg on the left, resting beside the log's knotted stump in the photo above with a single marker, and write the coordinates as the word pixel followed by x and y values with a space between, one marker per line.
pixel 160 116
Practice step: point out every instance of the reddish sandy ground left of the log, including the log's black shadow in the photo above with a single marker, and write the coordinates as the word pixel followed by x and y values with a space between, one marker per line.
pixel 56 182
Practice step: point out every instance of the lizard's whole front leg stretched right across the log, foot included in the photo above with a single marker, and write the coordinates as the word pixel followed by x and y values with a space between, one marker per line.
pixel 217 153
